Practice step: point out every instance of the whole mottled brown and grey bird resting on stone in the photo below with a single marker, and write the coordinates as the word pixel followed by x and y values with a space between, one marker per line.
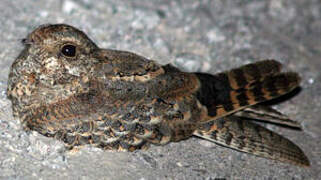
pixel 62 85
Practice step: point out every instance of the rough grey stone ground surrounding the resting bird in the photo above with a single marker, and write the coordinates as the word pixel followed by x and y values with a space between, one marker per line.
pixel 206 35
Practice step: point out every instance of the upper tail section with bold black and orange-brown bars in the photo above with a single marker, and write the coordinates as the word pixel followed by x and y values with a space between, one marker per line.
pixel 228 92
